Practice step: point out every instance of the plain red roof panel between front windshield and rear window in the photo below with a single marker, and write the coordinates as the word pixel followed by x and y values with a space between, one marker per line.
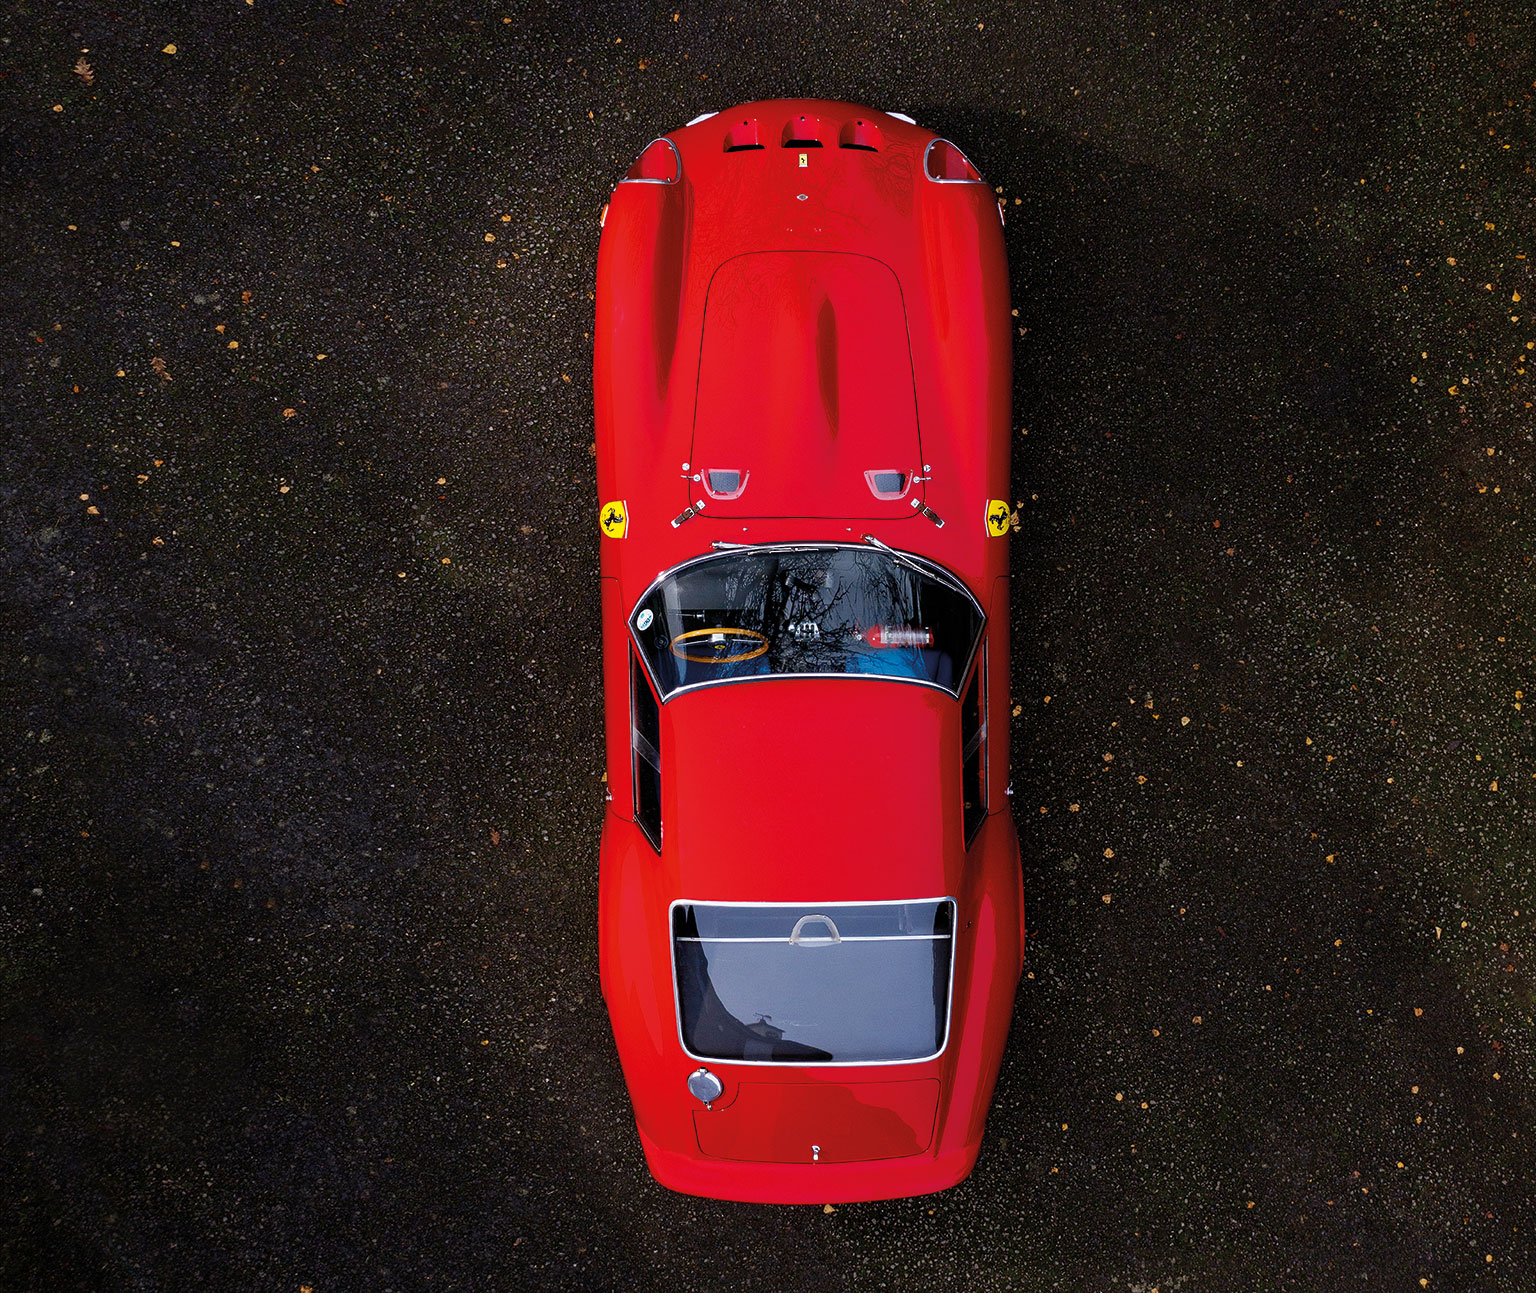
pixel 807 789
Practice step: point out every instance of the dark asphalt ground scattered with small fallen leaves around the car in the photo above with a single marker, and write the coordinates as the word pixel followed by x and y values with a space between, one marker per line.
pixel 302 719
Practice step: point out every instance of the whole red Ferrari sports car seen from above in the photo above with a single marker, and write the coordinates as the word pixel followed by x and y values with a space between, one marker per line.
pixel 812 914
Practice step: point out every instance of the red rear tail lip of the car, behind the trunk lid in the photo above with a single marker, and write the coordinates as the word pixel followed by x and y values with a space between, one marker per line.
pixel 798 1183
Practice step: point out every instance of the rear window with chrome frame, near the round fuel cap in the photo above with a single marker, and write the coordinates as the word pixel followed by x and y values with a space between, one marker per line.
pixel 812 985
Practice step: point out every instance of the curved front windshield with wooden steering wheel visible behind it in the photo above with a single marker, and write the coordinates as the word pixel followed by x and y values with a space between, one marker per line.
pixel 819 610
